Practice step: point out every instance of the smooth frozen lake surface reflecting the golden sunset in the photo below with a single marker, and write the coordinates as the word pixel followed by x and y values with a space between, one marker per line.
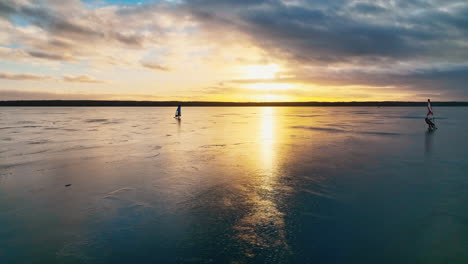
pixel 233 185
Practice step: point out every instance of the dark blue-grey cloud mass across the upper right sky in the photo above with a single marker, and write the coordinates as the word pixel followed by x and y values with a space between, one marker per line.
pixel 332 33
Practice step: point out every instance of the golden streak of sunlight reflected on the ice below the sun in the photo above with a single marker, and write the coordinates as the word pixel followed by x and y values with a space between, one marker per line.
pixel 263 226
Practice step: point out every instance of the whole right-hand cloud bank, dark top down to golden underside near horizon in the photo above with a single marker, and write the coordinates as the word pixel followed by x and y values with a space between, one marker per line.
pixel 351 43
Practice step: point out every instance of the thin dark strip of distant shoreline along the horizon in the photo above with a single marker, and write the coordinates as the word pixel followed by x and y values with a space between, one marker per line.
pixel 103 103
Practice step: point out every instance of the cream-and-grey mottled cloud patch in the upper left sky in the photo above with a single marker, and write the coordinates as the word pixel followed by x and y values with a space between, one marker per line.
pixel 56 31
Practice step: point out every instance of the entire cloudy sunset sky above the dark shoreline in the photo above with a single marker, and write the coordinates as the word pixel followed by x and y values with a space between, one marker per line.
pixel 234 50
